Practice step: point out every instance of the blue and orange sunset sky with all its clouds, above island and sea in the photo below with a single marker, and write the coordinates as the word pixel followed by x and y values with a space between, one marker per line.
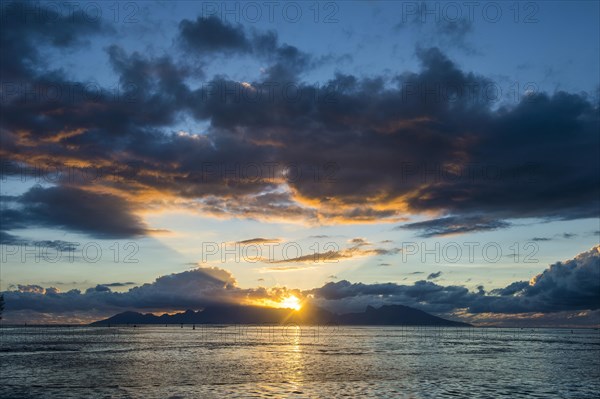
pixel 159 156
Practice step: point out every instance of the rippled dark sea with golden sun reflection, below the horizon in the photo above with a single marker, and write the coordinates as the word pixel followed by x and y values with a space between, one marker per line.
pixel 297 362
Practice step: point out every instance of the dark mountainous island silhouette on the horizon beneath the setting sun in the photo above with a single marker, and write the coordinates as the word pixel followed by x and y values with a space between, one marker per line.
pixel 237 314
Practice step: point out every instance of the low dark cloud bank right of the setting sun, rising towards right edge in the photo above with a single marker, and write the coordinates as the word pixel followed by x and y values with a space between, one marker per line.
pixel 565 286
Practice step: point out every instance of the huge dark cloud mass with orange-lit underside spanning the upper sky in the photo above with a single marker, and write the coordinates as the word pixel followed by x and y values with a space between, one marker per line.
pixel 425 142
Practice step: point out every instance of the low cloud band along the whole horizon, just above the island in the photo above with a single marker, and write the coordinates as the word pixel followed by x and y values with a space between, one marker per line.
pixel 567 286
